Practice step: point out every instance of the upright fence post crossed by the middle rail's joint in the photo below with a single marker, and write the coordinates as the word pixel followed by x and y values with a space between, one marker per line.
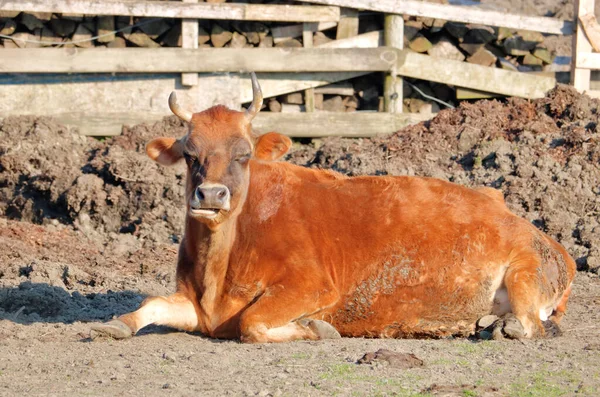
pixel 393 86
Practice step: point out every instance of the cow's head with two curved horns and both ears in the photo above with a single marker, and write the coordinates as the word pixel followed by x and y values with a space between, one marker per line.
pixel 217 150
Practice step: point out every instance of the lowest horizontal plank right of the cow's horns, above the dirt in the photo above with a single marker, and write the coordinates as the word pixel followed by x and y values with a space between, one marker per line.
pixel 323 124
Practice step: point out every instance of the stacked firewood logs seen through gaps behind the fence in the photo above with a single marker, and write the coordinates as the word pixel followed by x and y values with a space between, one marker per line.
pixel 482 45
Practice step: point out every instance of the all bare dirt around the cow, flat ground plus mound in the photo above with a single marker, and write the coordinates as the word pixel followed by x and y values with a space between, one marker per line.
pixel 88 228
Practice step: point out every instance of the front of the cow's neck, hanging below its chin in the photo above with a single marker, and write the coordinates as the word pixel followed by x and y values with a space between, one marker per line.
pixel 209 251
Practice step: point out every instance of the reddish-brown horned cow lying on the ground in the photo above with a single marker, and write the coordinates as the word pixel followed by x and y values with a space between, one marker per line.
pixel 275 252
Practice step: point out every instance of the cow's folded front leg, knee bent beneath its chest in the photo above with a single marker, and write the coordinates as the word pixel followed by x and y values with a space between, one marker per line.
pixel 283 314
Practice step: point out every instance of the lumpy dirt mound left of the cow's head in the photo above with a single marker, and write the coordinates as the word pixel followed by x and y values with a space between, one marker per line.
pixel 50 174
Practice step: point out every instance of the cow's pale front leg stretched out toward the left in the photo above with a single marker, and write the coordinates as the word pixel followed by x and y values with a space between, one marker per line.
pixel 175 311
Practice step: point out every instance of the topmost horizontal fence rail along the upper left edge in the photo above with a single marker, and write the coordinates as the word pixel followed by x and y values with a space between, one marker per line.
pixel 248 12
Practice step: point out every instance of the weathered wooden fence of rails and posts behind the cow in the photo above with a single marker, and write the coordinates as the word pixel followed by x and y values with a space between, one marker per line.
pixel 142 75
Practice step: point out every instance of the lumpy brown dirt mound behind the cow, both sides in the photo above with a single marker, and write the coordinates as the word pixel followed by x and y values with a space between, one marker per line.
pixel 543 154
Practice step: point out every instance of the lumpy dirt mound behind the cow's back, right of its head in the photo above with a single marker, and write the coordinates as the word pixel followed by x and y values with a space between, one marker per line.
pixel 544 155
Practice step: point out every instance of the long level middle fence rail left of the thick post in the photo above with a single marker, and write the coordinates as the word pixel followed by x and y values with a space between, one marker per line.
pixel 180 60
